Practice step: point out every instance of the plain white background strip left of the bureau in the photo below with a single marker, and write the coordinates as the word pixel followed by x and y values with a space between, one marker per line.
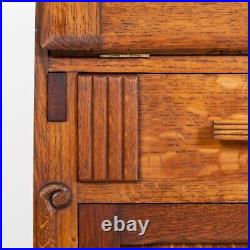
pixel 18 24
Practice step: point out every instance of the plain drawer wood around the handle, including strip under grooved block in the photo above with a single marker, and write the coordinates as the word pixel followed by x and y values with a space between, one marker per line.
pixel 180 161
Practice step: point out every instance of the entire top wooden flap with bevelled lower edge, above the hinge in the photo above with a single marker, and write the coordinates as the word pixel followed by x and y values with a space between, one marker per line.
pixel 155 28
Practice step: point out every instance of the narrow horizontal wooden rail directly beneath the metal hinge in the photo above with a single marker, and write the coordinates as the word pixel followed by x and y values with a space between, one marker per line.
pixel 154 64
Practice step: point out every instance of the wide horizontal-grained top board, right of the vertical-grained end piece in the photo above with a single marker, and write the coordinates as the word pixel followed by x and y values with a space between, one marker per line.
pixel 174 27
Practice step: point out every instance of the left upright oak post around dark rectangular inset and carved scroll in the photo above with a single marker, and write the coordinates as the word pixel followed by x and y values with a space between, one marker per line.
pixel 54 155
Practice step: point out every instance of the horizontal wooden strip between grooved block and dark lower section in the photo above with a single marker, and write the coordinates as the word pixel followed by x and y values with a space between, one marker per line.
pixel 215 191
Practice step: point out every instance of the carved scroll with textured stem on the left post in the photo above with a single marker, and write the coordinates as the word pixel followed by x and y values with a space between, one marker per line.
pixel 53 196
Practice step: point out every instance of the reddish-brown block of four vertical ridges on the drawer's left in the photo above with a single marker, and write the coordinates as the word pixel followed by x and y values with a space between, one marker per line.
pixel 108 128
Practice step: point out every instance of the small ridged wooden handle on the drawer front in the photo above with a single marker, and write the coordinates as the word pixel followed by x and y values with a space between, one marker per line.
pixel 231 130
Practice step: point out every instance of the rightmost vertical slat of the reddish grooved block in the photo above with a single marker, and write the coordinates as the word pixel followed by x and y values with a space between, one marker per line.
pixel 130 128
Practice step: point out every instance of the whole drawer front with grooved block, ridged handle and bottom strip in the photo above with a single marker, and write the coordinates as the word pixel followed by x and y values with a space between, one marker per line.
pixel 191 144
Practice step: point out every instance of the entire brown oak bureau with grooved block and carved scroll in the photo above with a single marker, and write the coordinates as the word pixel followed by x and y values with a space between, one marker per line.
pixel 141 112
